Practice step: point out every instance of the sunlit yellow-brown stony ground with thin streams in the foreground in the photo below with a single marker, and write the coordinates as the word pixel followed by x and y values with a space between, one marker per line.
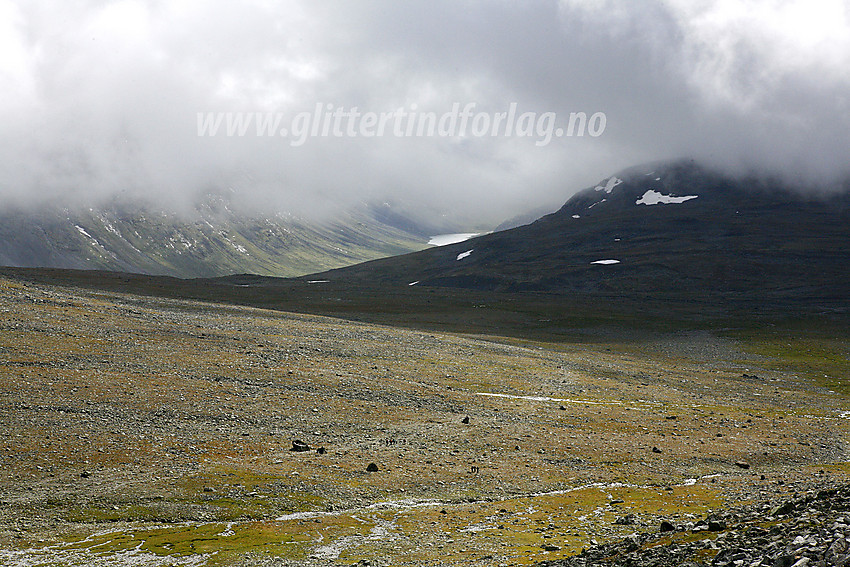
pixel 151 431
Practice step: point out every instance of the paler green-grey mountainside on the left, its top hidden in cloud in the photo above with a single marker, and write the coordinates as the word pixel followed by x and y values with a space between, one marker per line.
pixel 214 239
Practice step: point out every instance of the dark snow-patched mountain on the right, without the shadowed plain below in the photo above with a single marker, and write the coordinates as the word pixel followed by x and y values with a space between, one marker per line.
pixel 662 231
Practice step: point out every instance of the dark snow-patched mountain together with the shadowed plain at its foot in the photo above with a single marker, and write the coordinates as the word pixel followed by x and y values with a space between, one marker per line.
pixel 738 253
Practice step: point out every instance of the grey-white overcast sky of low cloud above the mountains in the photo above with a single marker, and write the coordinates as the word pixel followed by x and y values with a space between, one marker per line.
pixel 100 98
